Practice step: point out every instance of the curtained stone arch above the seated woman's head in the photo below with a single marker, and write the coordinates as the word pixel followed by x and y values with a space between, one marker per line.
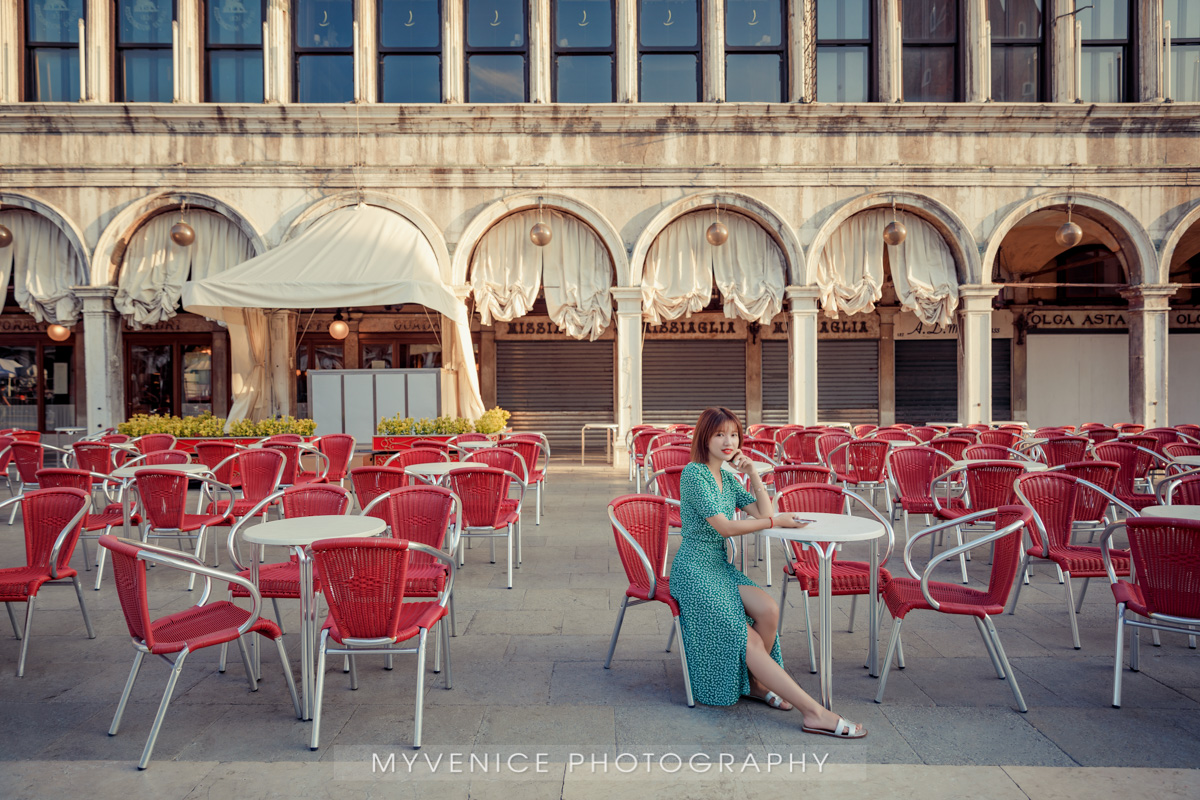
pixel 767 219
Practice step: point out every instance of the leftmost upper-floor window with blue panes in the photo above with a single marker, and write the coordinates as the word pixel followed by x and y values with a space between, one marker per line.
pixel 52 51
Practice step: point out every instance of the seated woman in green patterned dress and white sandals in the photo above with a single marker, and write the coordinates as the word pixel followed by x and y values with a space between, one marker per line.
pixel 729 623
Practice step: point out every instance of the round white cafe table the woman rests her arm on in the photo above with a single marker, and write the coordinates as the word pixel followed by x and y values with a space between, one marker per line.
pixel 824 536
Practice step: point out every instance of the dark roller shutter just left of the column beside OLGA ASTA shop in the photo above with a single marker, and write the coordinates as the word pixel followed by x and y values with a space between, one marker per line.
pixel 927 381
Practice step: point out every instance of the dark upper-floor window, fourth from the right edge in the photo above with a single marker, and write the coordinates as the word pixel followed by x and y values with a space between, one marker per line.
pixel 931 51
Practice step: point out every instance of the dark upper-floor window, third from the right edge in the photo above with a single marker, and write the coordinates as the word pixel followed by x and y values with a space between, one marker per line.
pixel 1017 51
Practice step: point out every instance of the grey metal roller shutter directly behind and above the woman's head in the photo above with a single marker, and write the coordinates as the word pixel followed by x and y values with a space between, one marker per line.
pixel 682 378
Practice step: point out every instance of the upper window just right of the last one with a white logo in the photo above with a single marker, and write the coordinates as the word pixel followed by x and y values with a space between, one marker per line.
pixel 844 52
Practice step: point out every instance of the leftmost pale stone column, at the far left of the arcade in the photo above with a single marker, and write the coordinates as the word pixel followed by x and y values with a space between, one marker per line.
pixel 105 369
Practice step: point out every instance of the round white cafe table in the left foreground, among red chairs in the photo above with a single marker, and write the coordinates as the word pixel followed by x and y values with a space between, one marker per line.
pixel 298 534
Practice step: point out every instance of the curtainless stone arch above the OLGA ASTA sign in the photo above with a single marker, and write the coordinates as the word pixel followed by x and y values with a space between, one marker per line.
pixel 1141 257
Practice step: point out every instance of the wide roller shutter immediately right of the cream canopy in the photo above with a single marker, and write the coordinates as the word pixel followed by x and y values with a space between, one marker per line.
pixel 556 388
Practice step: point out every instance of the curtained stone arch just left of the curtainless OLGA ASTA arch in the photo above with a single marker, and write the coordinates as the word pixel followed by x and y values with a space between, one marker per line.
pixel 949 224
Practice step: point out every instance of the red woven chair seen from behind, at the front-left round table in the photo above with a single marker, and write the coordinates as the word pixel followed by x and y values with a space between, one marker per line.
pixel 364 584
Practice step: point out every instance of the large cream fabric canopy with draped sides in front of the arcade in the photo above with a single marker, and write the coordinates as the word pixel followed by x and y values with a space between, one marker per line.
pixel 353 257
